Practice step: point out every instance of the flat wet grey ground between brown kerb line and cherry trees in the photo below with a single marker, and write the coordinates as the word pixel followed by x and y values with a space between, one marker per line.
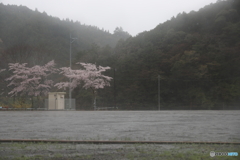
pixel 222 126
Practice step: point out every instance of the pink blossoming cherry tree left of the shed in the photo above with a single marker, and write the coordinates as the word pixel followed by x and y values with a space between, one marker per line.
pixel 30 81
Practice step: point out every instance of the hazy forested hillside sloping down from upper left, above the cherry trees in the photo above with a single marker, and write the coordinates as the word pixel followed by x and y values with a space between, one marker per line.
pixel 24 31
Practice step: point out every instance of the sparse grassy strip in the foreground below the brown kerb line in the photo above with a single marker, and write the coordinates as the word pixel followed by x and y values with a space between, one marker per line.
pixel 38 151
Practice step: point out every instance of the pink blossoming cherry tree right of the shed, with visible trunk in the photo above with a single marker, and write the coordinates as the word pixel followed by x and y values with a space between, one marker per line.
pixel 90 77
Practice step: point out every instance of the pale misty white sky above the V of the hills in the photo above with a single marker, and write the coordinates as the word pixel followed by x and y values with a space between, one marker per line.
pixel 134 16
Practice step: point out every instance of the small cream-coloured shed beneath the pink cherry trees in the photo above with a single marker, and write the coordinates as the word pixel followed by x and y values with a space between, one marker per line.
pixel 56 100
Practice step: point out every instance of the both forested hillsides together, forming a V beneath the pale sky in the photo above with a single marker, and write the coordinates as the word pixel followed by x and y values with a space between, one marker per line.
pixel 195 54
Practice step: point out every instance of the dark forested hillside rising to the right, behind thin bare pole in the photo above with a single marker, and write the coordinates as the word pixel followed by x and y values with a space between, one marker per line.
pixel 196 55
